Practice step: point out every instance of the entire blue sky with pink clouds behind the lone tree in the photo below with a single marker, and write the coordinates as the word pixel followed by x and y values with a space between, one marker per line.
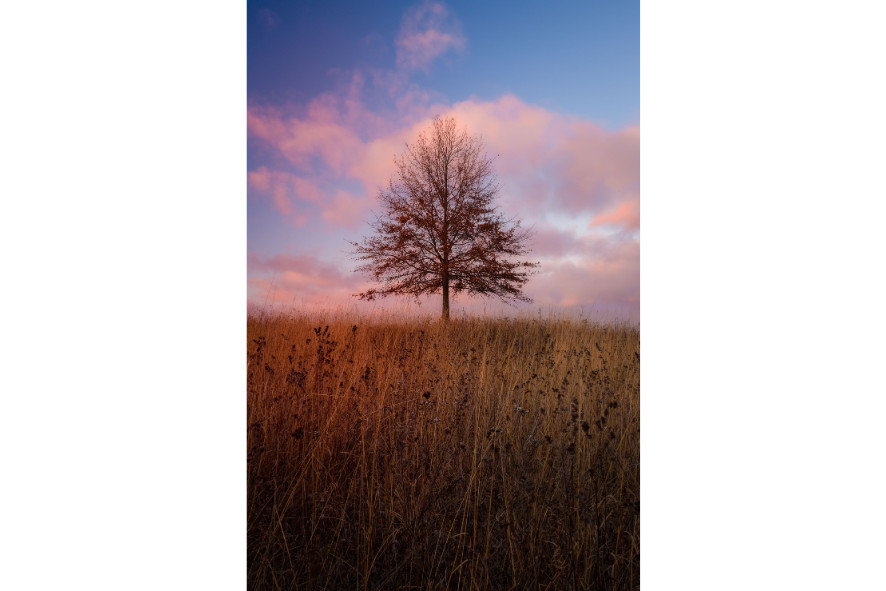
pixel 337 89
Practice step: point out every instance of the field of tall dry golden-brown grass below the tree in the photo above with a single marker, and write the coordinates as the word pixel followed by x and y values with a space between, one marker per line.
pixel 482 454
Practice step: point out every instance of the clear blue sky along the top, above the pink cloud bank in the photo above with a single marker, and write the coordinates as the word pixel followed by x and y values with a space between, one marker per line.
pixel 581 58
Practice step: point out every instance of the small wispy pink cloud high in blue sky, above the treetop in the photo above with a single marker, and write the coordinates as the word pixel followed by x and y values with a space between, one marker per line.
pixel 427 31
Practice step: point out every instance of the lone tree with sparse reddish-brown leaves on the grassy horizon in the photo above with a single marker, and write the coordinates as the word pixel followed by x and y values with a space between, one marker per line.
pixel 439 230
